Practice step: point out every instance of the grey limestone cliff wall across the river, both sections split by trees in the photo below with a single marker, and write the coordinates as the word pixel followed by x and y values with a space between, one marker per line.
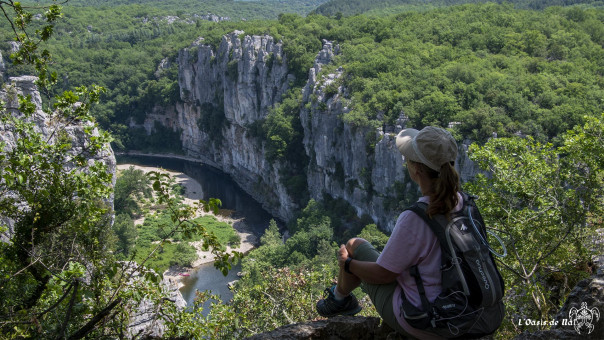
pixel 236 85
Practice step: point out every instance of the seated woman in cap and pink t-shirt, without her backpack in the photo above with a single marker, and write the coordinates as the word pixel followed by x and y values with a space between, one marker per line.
pixel 429 155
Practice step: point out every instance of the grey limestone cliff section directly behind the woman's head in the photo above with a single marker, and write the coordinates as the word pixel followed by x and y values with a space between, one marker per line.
pixel 357 163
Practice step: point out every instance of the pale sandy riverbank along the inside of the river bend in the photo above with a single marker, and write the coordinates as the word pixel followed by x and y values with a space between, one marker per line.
pixel 193 193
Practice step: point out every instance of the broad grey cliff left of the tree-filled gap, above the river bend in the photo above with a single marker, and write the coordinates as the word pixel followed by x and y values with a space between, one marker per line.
pixel 233 86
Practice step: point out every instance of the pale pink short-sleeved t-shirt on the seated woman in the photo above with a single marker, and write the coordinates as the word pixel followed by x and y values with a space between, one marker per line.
pixel 412 242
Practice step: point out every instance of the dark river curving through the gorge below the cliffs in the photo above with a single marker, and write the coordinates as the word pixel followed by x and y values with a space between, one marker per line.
pixel 214 184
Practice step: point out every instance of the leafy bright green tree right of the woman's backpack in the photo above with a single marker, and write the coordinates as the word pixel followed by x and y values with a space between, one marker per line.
pixel 546 202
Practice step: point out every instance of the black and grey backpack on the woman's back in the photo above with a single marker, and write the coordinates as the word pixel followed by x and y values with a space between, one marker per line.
pixel 470 304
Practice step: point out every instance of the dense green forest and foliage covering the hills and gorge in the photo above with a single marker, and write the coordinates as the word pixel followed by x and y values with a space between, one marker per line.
pixel 531 77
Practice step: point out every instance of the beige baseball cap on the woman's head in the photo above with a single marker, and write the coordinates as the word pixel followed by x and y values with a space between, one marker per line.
pixel 432 146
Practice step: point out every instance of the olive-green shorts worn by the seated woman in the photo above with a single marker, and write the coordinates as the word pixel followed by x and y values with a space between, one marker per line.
pixel 381 295
